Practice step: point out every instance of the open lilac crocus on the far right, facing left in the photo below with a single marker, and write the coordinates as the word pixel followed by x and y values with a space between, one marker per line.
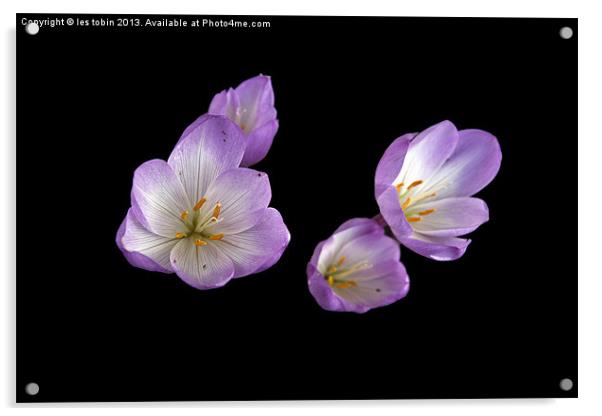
pixel 424 183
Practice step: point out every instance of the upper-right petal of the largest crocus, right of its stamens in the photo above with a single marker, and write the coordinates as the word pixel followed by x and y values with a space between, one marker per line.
pixel 243 194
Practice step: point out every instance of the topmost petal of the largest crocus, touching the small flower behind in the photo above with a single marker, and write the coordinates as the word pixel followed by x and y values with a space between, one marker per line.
pixel 212 147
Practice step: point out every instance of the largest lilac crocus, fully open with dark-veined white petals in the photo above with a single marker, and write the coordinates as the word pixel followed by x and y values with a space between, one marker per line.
pixel 199 214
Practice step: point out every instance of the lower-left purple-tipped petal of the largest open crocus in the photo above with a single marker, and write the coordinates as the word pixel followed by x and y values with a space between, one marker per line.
pixel 149 251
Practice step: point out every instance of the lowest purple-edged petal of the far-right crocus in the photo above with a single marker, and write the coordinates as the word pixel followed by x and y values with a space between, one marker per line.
pixel 436 248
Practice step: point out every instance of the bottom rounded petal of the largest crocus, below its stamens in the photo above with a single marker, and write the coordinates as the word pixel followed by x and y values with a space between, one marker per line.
pixel 204 267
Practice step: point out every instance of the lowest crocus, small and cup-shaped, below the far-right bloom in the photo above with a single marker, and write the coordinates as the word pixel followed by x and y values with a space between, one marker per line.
pixel 357 269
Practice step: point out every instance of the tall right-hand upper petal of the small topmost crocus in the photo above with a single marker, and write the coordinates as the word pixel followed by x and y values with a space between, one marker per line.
pixel 256 97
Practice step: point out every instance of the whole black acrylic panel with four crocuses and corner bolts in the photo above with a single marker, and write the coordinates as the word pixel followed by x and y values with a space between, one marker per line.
pixel 98 96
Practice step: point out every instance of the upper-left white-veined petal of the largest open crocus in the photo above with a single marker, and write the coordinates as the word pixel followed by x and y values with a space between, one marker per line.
pixel 158 198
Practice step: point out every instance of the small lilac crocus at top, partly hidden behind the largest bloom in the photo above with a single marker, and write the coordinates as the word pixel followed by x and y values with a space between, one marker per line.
pixel 250 106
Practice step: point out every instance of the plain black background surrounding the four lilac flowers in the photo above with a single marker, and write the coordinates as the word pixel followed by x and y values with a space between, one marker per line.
pixel 95 103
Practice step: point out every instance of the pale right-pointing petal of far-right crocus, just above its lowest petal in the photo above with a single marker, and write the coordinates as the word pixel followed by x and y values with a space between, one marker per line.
pixel 452 217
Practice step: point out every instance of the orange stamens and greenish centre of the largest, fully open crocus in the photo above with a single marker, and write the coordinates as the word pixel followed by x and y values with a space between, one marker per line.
pixel 198 223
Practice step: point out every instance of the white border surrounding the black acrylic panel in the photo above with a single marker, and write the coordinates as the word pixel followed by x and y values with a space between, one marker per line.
pixel 590 201
